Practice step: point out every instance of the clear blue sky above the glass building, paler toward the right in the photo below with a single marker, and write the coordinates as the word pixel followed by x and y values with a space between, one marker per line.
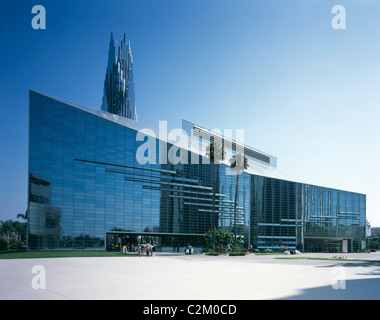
pixel 301 90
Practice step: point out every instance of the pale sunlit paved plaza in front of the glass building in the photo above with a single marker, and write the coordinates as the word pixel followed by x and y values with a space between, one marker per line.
pixel 177 276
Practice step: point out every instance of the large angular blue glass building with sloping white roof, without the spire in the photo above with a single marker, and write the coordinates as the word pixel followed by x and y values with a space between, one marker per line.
pixel 89 190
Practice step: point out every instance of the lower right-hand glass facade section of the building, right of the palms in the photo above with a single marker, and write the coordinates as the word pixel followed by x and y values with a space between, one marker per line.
pixel 286 213
